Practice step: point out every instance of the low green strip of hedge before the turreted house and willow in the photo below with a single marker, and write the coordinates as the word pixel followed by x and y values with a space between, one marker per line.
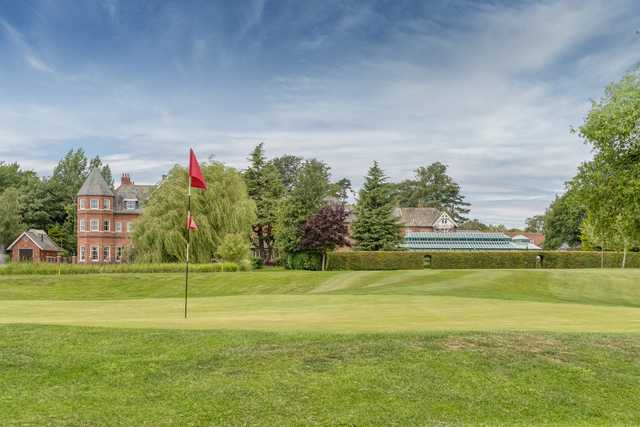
pixel 43 268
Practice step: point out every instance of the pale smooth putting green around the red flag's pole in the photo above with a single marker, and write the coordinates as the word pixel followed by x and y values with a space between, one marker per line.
pixel 329 313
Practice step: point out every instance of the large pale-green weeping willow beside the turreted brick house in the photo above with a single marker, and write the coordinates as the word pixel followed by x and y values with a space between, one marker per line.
pixel 160 234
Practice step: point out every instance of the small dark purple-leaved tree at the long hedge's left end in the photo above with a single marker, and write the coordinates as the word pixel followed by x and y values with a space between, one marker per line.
pixel 325 230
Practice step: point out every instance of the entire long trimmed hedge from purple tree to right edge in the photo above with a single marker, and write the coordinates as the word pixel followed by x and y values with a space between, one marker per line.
pixel 476 259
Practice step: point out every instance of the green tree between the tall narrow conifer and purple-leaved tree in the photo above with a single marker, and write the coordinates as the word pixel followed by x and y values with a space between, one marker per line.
pixel 307 196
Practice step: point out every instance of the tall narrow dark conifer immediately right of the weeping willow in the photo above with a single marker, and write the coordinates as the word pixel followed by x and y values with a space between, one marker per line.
pixel 264 185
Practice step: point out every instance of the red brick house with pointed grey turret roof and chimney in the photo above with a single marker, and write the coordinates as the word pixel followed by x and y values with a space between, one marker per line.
pixel 106 217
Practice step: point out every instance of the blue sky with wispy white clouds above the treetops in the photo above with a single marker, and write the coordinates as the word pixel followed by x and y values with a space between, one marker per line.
pixel 491 89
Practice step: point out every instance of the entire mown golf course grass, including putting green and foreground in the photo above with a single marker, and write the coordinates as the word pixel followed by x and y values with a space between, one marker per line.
pixel 508 347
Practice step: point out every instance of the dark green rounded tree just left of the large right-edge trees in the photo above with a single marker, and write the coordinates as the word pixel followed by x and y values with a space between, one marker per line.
pixel 562 221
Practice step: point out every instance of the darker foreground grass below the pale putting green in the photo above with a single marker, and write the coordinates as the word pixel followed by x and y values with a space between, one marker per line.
pixel 82 376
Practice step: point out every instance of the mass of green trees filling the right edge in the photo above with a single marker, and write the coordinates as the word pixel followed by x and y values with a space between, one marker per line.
pixel 601 208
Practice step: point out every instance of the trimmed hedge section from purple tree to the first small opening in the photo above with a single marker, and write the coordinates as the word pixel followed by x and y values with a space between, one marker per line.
pixel 383 260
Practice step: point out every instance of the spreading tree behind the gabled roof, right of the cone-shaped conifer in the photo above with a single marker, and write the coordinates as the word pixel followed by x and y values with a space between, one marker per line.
pixel 432 187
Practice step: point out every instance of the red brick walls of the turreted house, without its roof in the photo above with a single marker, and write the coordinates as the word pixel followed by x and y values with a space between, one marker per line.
pixel 101 238
